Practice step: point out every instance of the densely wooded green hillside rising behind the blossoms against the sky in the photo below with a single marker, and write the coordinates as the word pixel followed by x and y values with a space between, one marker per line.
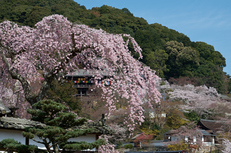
pixel 167 51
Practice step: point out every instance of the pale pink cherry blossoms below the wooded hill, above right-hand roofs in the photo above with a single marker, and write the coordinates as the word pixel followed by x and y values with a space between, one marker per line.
pixel 197 98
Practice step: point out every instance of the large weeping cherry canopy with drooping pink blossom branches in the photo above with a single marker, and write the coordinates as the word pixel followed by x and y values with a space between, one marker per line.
pixel 56 46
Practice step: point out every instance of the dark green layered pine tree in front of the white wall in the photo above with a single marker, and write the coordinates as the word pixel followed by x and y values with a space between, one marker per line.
pixel 60 126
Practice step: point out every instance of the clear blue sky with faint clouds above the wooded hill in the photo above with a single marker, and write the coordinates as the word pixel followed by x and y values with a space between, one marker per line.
pixel 208 21
